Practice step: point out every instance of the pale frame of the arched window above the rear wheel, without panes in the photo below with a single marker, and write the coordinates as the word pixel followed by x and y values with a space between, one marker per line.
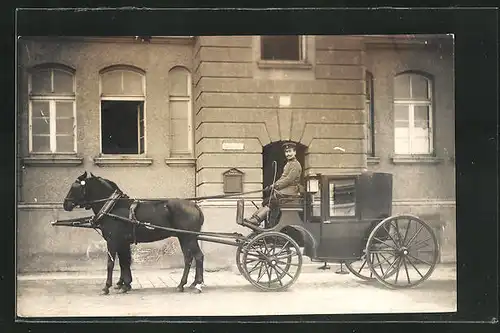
pixel 411 102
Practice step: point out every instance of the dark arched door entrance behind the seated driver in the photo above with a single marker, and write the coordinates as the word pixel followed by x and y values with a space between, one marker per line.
pixel 274 152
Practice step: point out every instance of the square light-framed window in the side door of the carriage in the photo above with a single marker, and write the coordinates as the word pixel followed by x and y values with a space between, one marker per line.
pixel 342 197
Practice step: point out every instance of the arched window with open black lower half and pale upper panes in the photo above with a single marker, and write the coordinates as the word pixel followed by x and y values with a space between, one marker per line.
pixel 122 111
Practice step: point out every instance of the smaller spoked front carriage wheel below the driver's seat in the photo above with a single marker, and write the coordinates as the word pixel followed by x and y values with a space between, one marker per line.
pixel 272 261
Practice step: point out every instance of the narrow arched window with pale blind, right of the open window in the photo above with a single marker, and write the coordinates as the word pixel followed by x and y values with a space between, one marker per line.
pixel 181 128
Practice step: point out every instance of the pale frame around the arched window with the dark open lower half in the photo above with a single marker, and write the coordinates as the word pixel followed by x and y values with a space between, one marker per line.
pixel 124 98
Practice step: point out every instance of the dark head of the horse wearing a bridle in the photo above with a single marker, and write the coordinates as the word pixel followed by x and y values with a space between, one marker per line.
pixel 86 190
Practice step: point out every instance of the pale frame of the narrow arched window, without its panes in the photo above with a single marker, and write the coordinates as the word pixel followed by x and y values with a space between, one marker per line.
pixel 189 99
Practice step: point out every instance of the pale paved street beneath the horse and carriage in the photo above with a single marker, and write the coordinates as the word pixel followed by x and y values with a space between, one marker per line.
pixel 228 293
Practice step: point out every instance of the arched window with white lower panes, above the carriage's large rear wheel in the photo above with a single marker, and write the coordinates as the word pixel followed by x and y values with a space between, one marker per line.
pixel 413 114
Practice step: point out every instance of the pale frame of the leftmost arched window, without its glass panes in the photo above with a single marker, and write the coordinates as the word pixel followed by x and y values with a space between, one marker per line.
pixel 52 98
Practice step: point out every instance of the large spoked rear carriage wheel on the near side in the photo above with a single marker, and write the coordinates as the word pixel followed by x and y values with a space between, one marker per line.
pixel 402 251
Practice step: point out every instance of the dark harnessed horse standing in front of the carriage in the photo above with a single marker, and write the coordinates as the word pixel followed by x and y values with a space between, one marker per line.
pixel 97 193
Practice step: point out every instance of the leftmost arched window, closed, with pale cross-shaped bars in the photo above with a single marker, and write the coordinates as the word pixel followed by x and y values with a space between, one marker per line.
pixel 52 110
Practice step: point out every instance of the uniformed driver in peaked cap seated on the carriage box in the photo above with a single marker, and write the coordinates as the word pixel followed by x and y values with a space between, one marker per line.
pixel 288 186
